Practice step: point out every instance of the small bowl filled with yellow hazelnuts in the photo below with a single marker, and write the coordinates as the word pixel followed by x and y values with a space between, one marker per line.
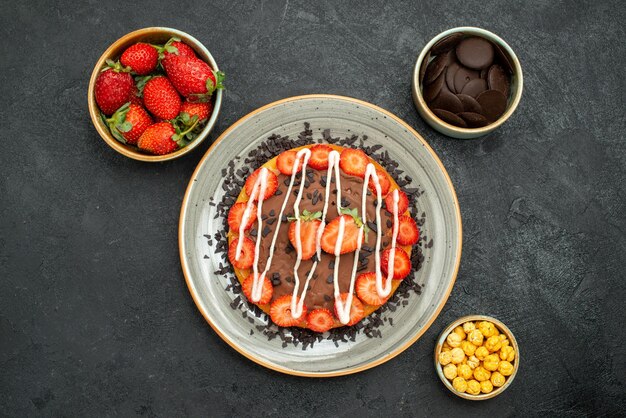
pixel 477 357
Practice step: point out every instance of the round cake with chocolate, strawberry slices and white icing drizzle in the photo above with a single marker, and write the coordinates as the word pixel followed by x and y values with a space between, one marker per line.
pixel 320 237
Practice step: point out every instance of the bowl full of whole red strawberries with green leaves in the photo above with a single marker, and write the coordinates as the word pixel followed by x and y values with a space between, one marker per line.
pixel 155 94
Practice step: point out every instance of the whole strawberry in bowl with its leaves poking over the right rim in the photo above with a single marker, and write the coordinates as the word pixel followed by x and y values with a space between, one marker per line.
pixel 192 77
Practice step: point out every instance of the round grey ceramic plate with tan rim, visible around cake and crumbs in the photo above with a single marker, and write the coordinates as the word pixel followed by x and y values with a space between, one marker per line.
pixel 344 117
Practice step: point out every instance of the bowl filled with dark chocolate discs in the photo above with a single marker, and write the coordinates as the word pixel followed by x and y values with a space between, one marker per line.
pixel 467 82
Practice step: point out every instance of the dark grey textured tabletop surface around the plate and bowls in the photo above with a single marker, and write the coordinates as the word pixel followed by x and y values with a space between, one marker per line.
pixel 95 317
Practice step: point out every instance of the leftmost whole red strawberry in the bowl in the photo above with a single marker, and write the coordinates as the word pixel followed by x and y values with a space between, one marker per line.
pixel 113 88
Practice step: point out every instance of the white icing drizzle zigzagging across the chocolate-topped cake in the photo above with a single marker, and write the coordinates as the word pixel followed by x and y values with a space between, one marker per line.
pixel 342 307
